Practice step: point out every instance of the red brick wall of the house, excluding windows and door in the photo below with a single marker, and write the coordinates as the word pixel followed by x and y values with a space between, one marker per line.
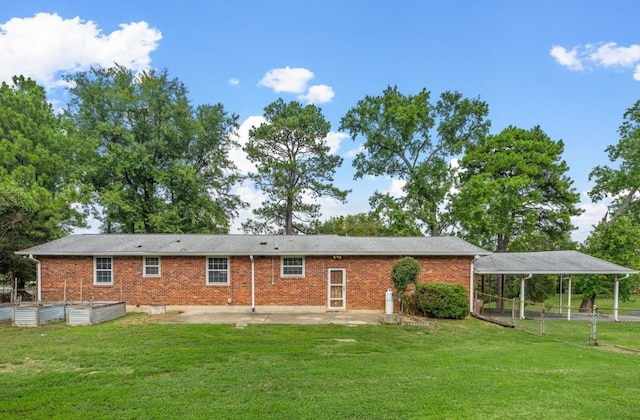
pixel 182 281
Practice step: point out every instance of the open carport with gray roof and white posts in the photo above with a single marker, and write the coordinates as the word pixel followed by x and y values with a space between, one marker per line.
pixel 562 263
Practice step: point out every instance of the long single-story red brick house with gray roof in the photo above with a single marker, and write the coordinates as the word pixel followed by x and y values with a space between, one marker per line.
pixel 240 272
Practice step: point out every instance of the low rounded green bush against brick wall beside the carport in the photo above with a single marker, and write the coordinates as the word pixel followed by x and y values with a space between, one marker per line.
pixel 442 300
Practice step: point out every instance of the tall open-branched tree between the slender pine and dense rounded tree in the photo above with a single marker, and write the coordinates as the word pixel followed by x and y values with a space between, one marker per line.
pixel 410 139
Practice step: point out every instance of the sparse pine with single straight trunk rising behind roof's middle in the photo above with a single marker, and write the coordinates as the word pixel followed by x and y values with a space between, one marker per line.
pixel 294 168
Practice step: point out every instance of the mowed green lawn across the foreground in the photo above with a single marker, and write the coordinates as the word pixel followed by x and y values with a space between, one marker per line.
pixel 134 369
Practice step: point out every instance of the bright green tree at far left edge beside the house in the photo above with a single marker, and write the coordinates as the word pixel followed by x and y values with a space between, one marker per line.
pixel 40 161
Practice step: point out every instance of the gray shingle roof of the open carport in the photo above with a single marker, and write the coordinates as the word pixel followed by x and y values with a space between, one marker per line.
pixel 549 262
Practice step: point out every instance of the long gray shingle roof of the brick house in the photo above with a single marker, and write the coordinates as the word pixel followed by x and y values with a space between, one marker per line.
pixel 228 245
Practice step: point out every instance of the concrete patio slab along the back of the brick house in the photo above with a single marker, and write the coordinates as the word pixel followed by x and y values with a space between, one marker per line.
pixel 243 319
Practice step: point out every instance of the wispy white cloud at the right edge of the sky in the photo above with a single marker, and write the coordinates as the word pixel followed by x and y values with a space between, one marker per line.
pixel 605 54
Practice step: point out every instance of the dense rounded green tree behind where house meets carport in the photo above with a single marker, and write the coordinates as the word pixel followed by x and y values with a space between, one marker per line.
pixel 512 187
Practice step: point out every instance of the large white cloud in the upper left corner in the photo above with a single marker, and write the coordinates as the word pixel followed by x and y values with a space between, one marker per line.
pixel 43 46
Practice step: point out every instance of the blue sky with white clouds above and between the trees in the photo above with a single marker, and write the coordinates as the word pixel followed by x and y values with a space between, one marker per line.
pixel 571 67
